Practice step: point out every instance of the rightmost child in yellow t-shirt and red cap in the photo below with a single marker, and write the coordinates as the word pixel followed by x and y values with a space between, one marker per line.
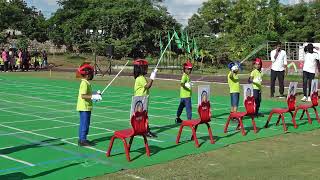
pixel 256 80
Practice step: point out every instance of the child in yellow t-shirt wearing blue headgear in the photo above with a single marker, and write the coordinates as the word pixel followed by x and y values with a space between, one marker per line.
pixel 234 86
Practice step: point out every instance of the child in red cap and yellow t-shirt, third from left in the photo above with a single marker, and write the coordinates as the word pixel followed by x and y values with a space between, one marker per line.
pixel 185 92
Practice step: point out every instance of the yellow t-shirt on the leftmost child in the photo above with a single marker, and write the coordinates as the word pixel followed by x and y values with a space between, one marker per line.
pixel 83 104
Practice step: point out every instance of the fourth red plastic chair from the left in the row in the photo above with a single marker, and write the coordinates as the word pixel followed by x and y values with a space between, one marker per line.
pixel 291 101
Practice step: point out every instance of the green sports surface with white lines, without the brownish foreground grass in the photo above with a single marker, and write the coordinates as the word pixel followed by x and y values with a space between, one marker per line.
pixel 39 127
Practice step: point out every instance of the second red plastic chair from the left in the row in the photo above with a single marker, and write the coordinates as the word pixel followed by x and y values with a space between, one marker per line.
pixel 204 111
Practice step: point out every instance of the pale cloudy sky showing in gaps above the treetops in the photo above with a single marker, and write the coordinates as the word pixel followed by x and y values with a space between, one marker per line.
pixel 182 10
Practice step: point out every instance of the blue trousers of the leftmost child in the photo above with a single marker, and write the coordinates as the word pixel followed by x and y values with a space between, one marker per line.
pixel 84 125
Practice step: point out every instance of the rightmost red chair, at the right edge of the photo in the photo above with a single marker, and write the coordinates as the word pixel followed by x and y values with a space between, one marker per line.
pixel 305 107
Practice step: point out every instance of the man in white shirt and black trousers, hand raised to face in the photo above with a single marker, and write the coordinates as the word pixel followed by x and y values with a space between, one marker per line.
pixel 278 69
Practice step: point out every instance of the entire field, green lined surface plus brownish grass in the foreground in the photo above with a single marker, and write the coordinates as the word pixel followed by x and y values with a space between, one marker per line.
pixel 39 128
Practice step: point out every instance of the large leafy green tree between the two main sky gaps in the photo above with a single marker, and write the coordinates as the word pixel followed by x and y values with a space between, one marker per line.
pixel 132 26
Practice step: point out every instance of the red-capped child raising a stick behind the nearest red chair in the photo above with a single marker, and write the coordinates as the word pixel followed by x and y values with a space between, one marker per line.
pixel 141 85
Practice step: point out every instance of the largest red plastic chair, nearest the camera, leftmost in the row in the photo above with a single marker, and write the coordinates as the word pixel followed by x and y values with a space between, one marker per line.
pixel 139 122
